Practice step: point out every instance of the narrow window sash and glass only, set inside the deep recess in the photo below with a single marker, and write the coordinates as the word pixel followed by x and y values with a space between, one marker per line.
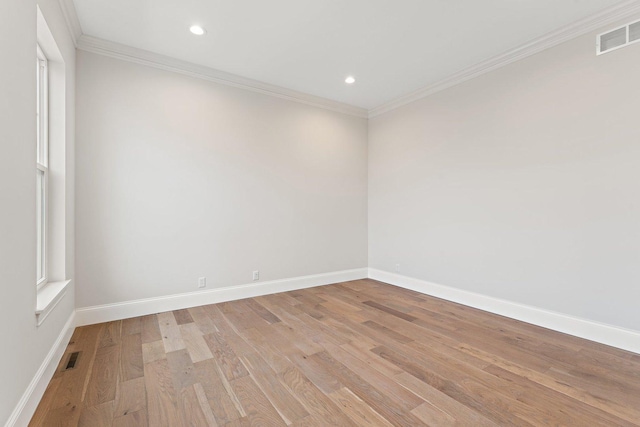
pixel 42 165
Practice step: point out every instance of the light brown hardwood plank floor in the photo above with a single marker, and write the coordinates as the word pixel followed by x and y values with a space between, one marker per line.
pixel 355 353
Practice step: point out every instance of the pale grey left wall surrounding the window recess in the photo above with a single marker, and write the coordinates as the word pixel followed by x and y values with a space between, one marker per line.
pixel 25 345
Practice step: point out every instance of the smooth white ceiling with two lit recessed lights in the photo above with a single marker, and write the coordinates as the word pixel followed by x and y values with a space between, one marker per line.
pixel 392 47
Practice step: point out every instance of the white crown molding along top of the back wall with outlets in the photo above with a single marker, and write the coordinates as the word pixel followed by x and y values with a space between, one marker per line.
pixel 144 57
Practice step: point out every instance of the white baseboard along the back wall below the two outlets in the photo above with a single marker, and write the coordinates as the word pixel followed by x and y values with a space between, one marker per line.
pixel 127 309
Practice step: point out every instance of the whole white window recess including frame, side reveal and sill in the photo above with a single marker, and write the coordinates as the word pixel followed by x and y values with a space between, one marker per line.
pixel 51 144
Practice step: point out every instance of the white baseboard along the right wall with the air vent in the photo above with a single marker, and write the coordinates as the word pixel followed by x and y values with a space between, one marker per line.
pixel 599 332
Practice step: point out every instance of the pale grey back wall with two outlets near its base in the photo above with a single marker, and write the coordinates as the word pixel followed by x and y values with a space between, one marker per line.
pixel 179 178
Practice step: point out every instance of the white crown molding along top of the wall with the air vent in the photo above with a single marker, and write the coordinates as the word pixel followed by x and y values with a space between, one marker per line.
pixel 608 16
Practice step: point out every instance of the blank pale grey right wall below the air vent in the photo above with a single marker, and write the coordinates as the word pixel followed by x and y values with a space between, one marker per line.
pixel 522 184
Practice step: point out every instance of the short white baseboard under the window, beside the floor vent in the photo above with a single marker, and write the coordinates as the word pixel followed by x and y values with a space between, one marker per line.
pixel 29 401
